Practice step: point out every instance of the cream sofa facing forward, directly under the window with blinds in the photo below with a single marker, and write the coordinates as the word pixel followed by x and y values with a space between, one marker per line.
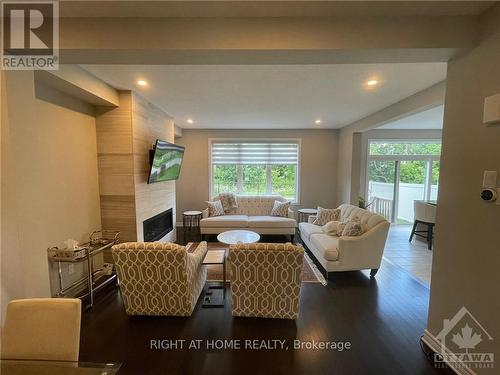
pixel 253 213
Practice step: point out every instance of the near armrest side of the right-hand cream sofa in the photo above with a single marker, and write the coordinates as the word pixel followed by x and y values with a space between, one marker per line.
pixel 366 250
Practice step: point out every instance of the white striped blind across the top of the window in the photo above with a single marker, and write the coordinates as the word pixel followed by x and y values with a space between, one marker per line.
pixel 255 153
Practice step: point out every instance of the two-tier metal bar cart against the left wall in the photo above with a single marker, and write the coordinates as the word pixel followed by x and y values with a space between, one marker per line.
pixel 94 280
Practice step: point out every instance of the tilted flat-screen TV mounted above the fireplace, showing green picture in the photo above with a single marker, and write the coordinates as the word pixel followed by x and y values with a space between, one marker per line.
pixel 166 162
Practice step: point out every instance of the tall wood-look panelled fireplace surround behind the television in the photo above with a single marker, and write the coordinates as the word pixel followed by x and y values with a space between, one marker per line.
pixel 124 138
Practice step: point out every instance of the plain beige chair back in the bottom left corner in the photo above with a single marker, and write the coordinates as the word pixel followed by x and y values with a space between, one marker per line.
pixel 42 329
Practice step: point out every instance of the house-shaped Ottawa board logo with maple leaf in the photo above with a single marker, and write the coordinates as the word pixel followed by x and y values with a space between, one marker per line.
pixel 461 339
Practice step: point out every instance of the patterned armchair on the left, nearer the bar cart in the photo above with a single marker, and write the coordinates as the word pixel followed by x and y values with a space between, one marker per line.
pixel 159 278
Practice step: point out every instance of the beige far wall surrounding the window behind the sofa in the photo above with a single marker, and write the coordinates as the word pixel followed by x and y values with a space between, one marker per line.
pixel 318 165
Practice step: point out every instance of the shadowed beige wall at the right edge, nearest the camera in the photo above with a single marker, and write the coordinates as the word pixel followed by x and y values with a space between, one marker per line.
pixel 466 259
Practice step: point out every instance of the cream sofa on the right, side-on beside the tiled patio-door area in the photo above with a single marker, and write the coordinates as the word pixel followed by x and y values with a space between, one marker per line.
pixel 348 253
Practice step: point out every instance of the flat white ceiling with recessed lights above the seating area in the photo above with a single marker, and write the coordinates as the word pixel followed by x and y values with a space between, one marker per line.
pixel 271 96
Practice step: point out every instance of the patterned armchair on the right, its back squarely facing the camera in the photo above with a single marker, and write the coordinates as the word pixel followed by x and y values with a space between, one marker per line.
pixel 265 279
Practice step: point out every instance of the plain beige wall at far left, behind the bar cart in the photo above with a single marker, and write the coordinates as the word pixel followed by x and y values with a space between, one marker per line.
pixel 49 184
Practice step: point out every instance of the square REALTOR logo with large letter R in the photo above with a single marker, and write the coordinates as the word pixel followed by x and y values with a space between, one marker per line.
pixel 30 35
